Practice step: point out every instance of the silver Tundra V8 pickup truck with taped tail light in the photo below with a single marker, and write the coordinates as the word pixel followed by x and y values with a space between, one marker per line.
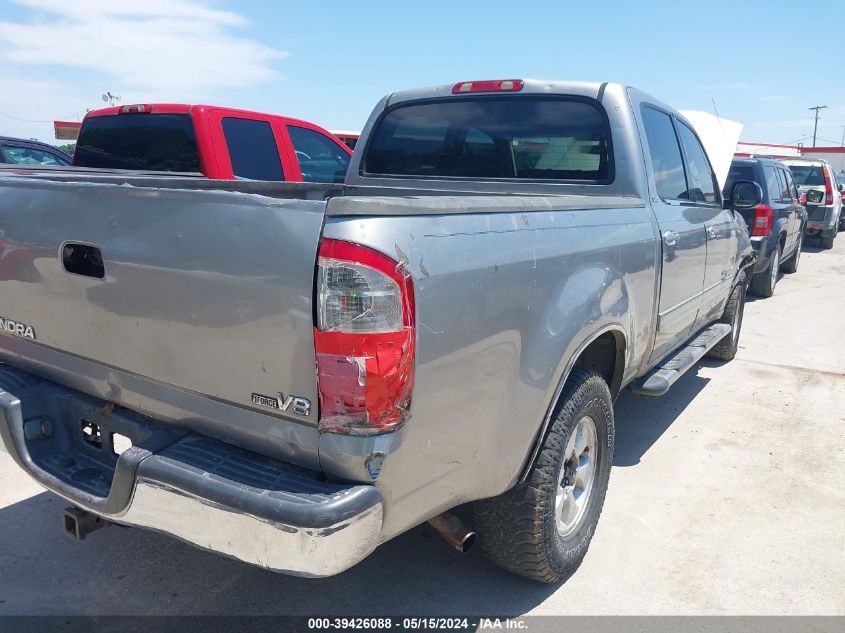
pixel 292 374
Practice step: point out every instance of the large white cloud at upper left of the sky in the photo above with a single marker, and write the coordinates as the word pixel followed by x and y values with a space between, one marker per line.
pixel 148 49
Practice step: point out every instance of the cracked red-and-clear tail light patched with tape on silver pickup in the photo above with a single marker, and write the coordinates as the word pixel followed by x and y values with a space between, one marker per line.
pixel 364 339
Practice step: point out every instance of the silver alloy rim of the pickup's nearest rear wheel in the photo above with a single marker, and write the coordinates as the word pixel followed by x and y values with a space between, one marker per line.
pixel 577 476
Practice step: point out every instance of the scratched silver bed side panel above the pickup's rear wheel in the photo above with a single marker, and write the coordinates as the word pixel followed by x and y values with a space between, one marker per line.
pixel 502 300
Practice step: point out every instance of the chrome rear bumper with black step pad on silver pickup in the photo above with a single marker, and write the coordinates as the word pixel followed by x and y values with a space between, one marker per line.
pixel 208 493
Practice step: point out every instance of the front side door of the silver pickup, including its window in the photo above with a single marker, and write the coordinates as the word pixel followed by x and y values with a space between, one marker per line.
pixel 720 229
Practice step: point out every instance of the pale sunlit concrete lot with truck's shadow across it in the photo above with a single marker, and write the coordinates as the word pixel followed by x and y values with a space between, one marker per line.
pixel 726 497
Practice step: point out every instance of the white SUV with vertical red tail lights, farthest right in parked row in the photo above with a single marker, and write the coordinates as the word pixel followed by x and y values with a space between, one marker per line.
pixel 824 207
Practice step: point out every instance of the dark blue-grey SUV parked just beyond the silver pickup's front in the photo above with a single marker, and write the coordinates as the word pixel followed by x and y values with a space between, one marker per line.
pixel 776 224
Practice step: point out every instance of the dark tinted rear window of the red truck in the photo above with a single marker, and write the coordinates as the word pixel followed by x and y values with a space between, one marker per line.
pixel 157 142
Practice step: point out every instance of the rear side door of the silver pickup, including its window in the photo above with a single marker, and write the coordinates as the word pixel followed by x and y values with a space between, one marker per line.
pixel 683 239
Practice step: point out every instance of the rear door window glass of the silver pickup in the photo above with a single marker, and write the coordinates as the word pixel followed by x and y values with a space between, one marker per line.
pixel 665 154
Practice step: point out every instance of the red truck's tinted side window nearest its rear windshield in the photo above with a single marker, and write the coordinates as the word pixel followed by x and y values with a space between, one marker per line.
pixel 252 149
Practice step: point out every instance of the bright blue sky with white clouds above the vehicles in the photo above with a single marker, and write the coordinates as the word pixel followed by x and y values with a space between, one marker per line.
pixel 330 61
